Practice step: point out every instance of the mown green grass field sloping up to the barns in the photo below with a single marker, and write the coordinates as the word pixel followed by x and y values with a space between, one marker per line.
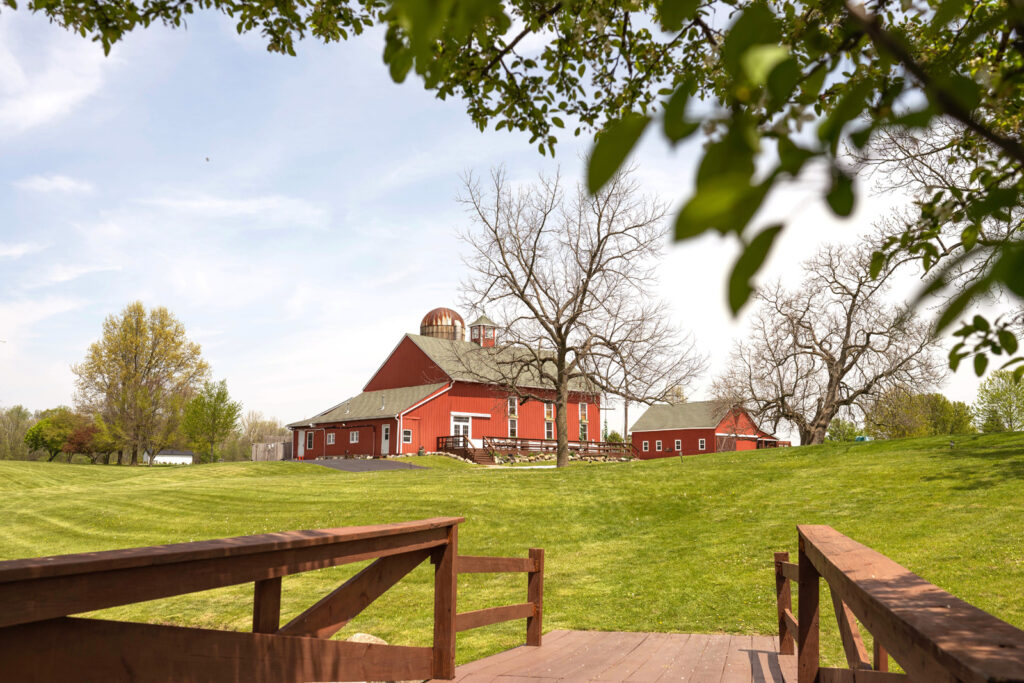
pixel 679 546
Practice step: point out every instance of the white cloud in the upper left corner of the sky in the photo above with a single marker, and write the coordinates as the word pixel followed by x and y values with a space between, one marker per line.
pixel 45 82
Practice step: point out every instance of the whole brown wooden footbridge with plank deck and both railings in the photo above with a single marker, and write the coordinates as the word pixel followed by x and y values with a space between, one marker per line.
pixel 931 634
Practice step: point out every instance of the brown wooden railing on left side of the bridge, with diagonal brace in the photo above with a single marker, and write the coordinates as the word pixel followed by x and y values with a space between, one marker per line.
pixel 39 642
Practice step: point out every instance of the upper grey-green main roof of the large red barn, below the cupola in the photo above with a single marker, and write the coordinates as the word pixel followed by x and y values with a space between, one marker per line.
pixel 466 362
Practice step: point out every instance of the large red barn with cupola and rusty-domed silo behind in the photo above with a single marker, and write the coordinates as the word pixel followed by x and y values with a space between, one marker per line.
pixel 436 386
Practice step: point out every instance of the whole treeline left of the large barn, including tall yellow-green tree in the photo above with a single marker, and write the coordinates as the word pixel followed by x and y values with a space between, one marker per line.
pixel 144 388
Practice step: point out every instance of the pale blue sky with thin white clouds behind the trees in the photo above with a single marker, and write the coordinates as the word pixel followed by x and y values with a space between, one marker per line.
pixel 297 215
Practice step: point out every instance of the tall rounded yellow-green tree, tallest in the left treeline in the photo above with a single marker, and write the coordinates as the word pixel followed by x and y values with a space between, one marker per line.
pixel 140 375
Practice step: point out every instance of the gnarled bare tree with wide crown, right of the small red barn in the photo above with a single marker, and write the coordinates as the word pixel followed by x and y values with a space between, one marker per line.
pixel 833 346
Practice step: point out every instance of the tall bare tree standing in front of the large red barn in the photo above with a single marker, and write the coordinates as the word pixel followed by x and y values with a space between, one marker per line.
pixel 569 279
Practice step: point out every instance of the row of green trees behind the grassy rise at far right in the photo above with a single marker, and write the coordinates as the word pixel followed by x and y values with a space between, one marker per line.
pixel 901 414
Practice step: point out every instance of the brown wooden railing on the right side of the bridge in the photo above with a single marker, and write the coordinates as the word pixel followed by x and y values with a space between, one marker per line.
pixel 933 635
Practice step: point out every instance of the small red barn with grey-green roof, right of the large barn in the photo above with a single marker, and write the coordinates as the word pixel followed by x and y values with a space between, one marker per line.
pixel 689 430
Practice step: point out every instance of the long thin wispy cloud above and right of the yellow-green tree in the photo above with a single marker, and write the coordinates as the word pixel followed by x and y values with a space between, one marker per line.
pixel 264 212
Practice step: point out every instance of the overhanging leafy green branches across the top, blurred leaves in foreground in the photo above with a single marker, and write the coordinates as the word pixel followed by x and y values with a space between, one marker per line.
pixel 852 70
